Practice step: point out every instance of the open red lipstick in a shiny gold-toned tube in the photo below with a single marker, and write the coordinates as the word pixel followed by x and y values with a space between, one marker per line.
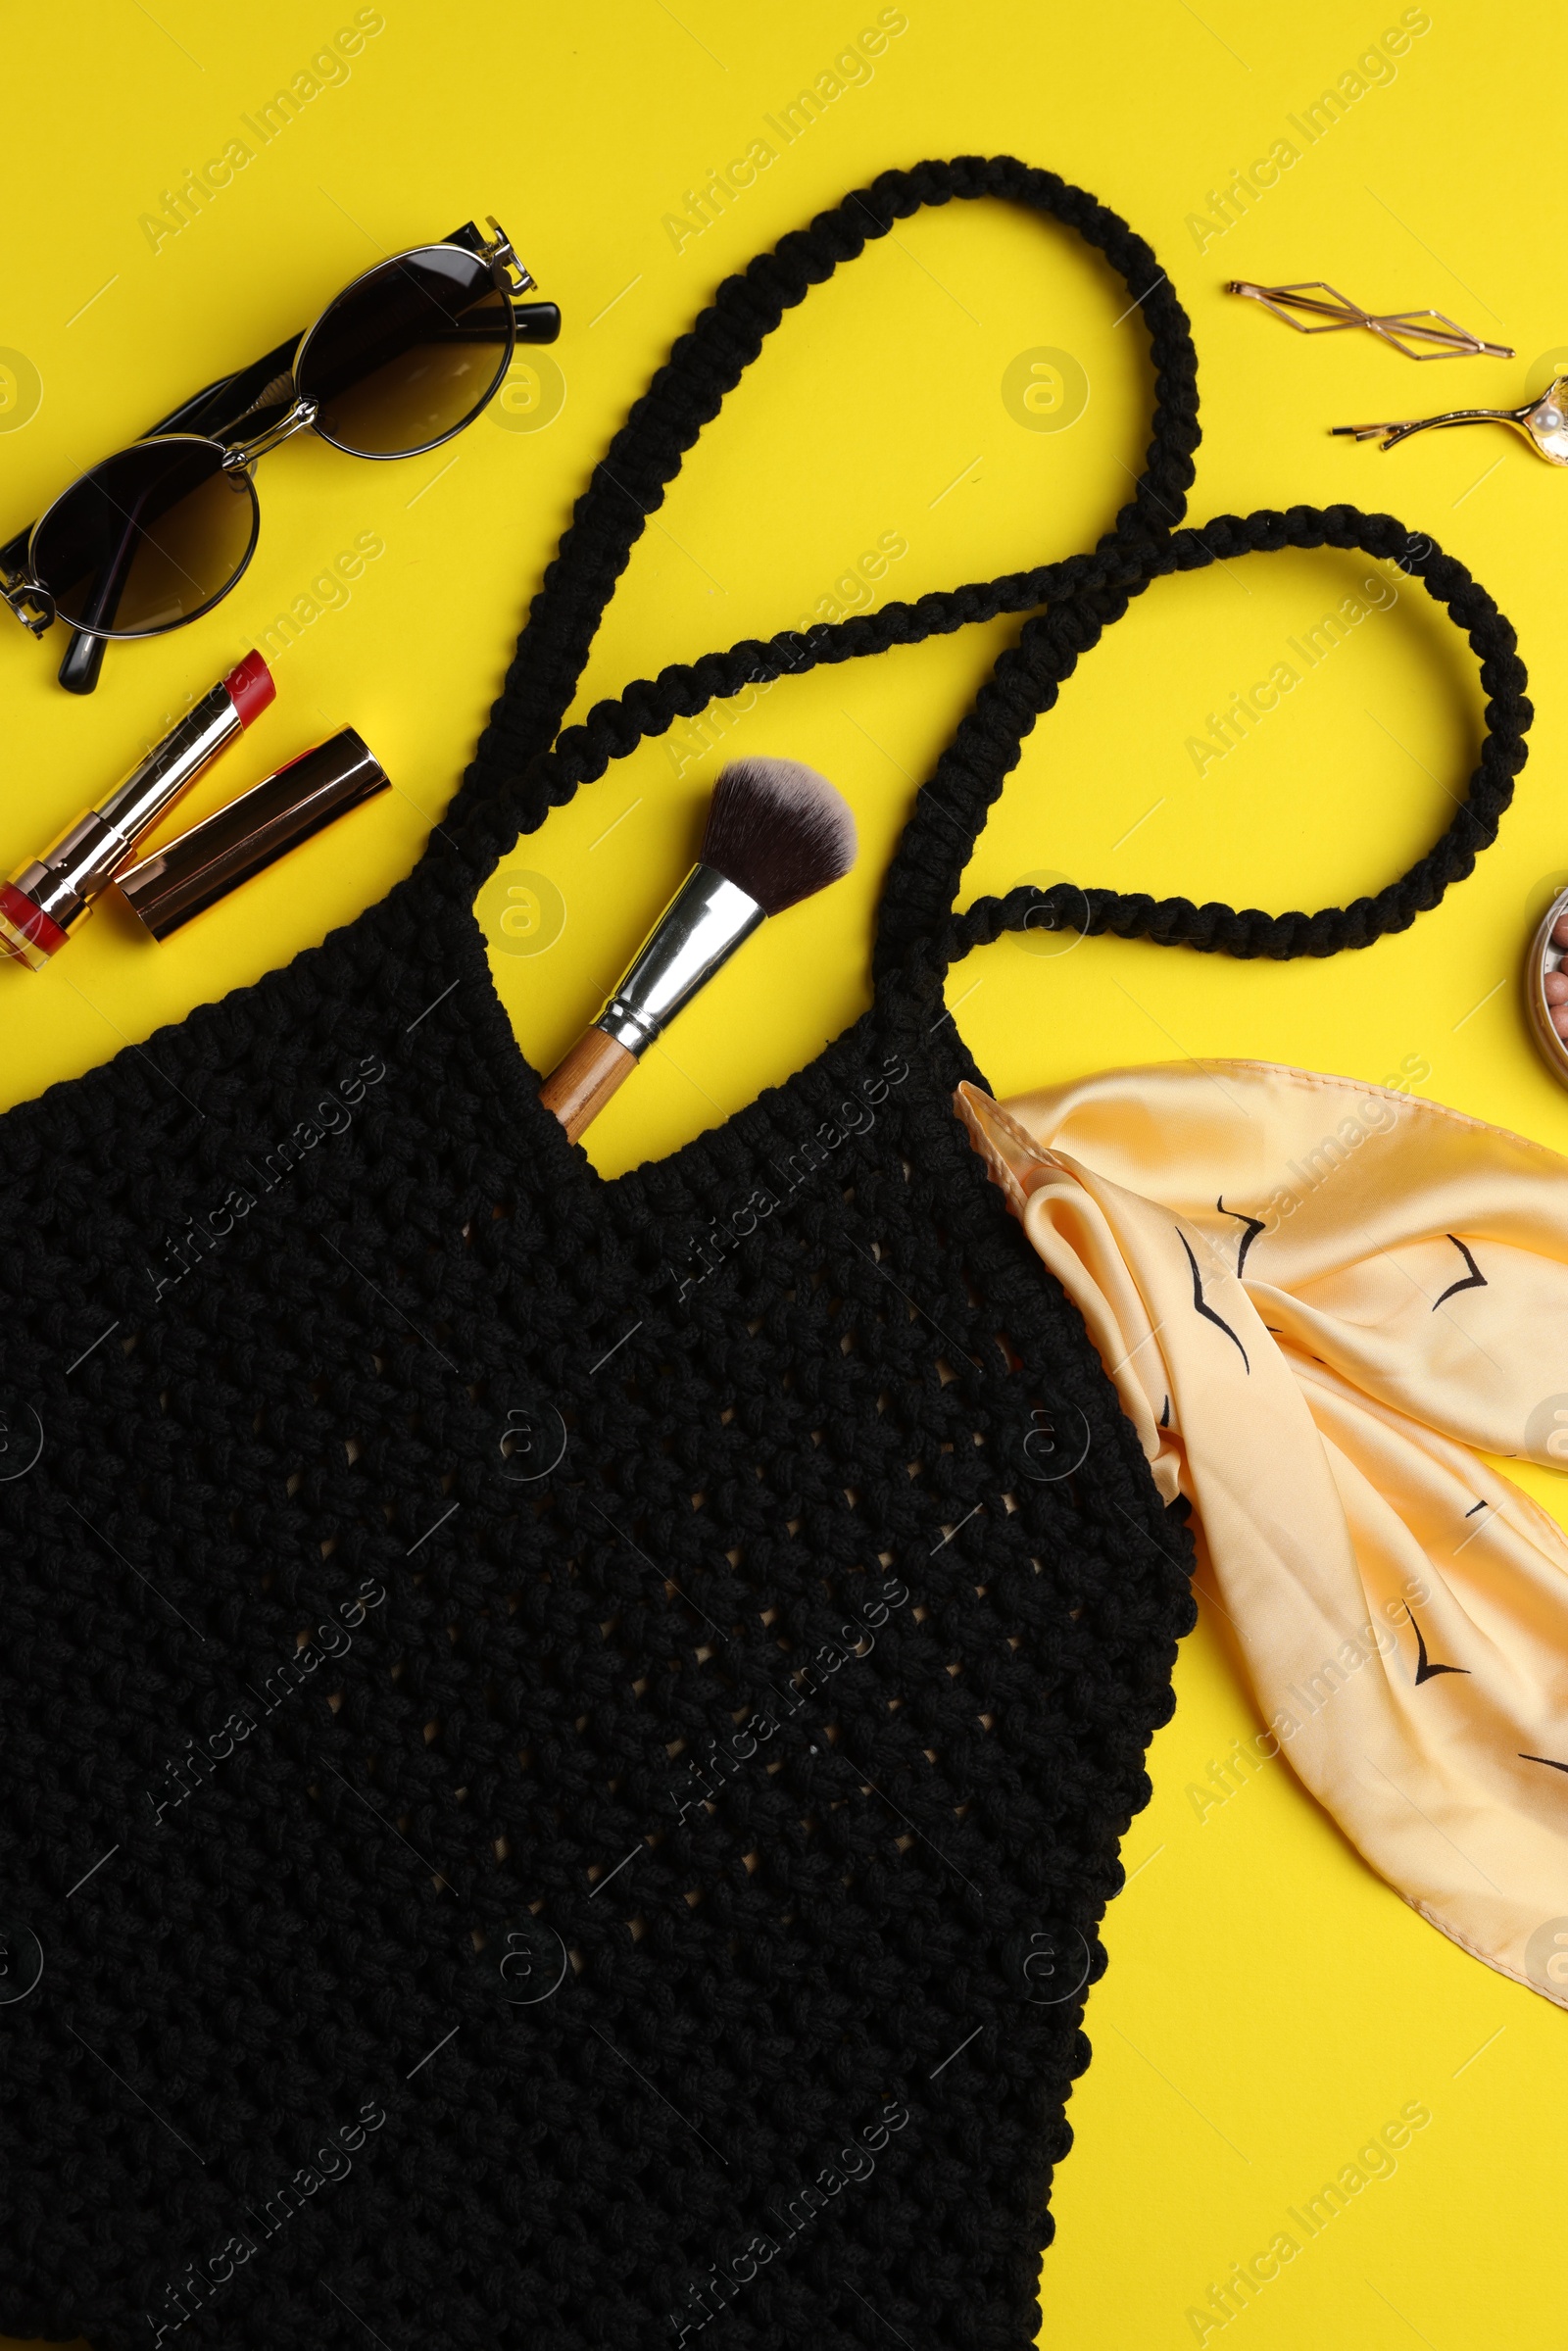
pixel 46 899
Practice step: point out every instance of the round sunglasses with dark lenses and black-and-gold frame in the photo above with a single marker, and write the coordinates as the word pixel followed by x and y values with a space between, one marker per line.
pixel 398 363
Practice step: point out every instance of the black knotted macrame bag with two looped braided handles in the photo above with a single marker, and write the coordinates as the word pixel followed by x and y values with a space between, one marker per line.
pixel 558 1779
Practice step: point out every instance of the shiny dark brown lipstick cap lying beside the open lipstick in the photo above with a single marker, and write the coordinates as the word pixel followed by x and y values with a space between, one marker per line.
pixel 257 829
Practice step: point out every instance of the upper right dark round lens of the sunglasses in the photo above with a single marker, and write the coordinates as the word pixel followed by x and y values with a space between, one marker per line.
pixel 408 354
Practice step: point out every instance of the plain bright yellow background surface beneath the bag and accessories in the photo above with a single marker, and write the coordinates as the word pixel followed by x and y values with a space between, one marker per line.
pixel 1271 2004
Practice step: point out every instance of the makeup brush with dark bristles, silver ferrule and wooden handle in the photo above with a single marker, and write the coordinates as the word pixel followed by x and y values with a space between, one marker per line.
pixel 777 833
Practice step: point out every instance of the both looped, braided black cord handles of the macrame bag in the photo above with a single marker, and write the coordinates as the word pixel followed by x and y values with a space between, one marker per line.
pixel 521 772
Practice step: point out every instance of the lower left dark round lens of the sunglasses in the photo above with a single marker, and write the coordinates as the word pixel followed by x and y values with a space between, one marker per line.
pixel 147 540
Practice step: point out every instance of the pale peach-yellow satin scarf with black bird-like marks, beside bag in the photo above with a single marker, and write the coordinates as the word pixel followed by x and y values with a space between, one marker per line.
pixel 1318 1299
